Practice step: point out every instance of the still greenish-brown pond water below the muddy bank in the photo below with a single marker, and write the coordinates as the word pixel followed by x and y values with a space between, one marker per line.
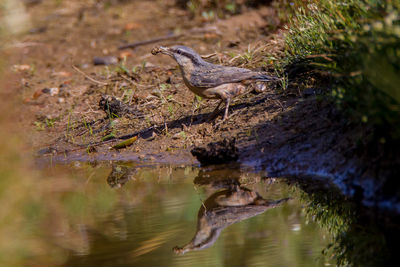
pixel 125 214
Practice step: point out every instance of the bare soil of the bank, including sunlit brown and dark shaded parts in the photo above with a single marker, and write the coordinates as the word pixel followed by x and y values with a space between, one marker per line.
pixel 284 132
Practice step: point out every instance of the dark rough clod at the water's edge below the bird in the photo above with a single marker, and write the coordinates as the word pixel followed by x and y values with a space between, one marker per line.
pixel 217 152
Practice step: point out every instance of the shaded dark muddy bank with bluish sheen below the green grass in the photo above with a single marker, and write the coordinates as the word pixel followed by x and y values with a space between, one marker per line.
pixel 314 140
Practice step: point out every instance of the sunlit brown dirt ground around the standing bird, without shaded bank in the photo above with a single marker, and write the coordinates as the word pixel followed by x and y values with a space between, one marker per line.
pixel 64 102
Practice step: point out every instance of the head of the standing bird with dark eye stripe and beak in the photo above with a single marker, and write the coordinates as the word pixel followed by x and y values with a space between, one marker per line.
pixel 183 55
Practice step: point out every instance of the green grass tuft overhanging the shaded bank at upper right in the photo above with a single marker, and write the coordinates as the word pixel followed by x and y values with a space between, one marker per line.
pixel 357 43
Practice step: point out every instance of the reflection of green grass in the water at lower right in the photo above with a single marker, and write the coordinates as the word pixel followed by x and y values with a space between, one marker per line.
pixel 358 239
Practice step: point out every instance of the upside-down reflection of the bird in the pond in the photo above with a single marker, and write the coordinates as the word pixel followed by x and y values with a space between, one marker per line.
pixel 222 209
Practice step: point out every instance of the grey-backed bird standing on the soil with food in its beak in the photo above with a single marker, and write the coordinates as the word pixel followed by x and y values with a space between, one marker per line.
pixel 209 80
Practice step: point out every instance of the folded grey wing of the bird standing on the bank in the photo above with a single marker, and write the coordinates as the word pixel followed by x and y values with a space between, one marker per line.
pixel 217 75
